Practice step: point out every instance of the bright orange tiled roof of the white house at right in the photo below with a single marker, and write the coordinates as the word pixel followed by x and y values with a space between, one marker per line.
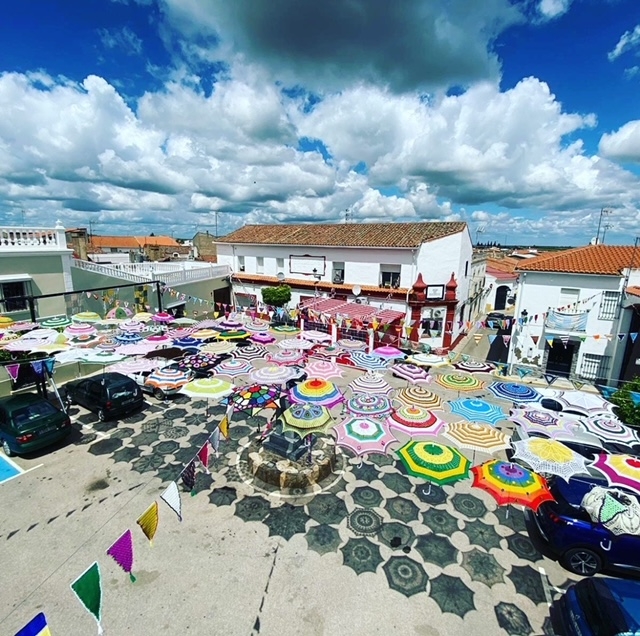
pixel 591 259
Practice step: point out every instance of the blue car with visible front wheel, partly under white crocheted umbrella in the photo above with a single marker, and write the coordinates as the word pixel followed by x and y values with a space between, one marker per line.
pixel 564 531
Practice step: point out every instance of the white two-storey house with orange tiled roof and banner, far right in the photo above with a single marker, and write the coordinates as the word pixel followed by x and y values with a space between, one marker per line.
pixel 571 315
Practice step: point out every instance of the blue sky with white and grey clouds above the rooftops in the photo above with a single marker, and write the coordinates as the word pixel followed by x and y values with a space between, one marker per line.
pixel 135 116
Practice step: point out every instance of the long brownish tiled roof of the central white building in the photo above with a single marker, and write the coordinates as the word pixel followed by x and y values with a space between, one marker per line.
pixel 406 235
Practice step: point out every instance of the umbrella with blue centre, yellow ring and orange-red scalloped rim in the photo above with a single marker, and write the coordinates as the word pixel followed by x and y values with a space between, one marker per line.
pixel 509 483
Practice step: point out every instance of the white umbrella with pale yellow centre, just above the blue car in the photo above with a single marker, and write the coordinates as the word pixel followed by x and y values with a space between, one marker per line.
pixel 549 456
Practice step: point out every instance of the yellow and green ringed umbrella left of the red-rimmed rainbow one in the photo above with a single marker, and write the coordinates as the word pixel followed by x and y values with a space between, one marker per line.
pixel 435 462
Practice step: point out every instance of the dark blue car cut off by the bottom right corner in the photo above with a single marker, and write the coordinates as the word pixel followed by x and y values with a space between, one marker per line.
pixel 598 607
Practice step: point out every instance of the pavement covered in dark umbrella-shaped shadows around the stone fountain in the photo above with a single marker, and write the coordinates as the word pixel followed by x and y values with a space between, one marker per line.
pixel 442 541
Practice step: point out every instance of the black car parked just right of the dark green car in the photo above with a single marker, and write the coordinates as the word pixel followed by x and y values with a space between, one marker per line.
pixel 108 394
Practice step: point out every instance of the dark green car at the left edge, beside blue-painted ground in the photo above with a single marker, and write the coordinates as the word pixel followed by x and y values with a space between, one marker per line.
pixel 28 423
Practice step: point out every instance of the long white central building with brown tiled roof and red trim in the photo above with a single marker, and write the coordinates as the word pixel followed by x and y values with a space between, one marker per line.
pixel 368 264
